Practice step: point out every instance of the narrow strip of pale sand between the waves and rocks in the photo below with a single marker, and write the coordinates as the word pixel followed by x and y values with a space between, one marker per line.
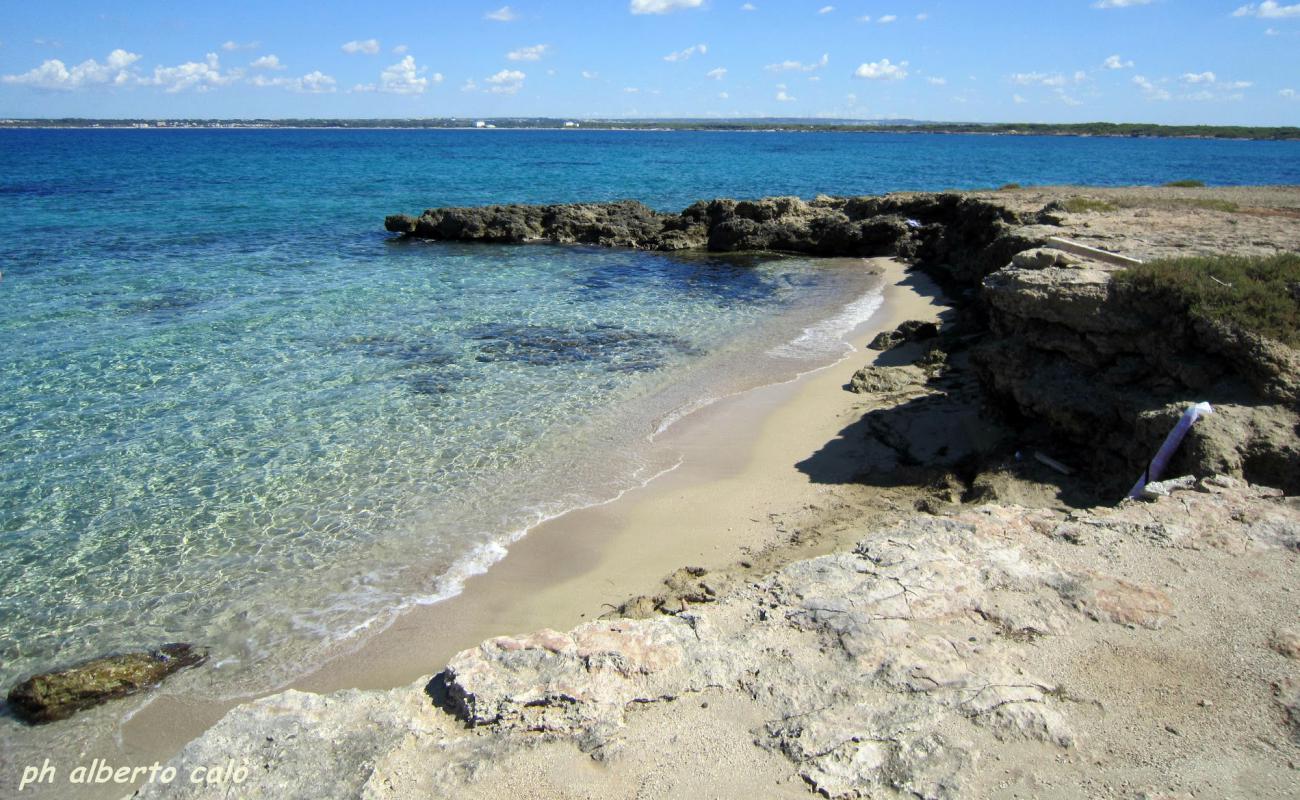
pixel 739 491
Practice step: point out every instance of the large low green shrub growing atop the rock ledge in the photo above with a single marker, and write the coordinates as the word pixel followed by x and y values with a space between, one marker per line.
pixel 1260 295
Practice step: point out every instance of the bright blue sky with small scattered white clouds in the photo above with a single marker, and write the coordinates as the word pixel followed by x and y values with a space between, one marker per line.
pixel 1171 62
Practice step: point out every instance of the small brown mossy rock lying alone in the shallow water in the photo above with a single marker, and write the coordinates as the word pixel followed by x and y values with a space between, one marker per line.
pixel 53 697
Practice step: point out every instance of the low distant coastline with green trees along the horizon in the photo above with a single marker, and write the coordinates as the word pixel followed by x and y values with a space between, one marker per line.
pixel 788 126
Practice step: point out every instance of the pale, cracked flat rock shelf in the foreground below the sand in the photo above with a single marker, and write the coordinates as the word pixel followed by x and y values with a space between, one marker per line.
pixel 929 661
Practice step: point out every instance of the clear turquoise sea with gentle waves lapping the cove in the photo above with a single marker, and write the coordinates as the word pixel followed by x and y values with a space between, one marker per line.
pixel 236 412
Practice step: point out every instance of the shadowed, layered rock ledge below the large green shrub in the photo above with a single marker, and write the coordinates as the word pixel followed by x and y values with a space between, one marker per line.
pixel 1094 367
